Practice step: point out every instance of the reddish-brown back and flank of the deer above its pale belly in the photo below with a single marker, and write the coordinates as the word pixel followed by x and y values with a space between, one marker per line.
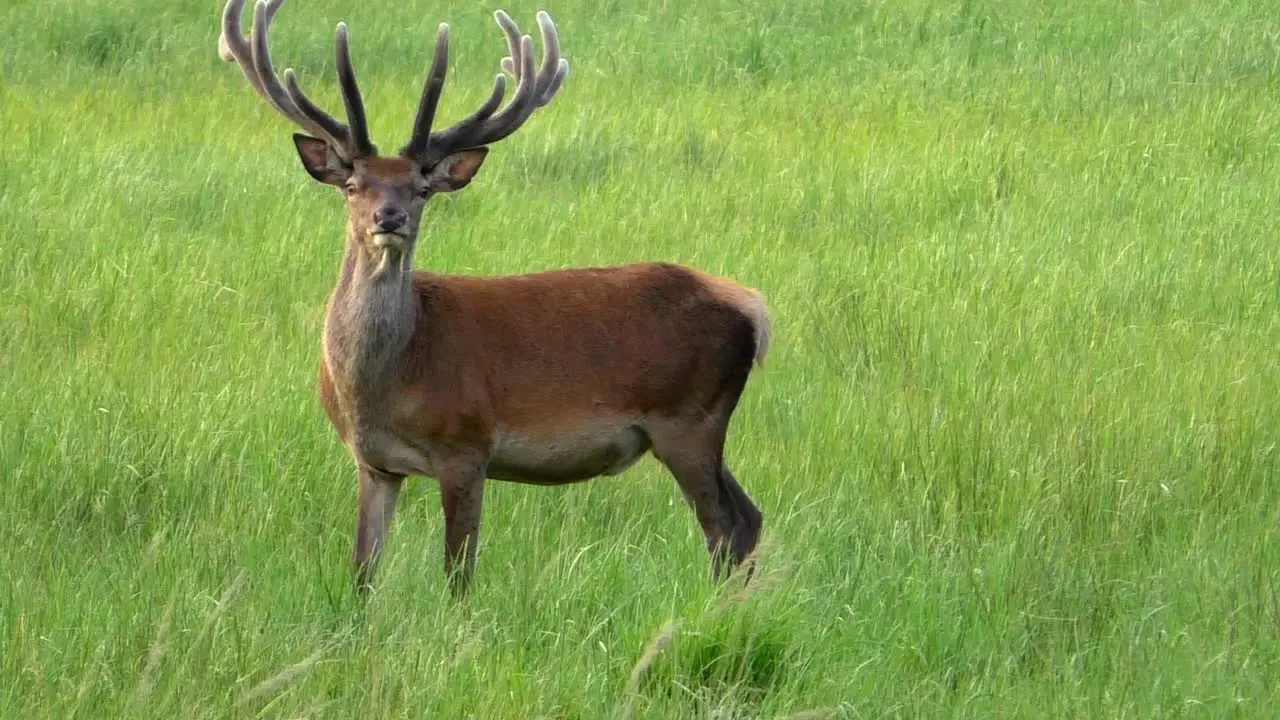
pixel 633 339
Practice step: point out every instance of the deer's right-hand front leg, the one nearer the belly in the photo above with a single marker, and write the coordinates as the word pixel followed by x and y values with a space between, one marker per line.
pixel 463 499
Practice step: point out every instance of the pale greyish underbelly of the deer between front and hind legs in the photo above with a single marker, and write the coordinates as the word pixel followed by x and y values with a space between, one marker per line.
pixel 566 457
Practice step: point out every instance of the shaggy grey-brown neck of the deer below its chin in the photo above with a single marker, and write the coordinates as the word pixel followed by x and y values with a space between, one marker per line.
pixel 372 318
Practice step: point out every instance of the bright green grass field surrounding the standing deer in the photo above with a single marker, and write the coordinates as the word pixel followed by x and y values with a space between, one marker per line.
pixel 1016 445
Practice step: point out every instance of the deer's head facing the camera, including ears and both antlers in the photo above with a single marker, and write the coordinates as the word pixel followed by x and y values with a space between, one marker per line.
pixel 386 195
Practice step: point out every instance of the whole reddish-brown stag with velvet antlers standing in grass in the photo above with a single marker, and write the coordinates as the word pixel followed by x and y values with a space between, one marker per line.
pixel 545 379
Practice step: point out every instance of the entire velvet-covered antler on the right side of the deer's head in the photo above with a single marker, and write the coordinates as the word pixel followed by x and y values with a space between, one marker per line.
pixel 483 127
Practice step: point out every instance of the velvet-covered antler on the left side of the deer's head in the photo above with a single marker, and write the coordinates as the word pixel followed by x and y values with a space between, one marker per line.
pixel 254 58
